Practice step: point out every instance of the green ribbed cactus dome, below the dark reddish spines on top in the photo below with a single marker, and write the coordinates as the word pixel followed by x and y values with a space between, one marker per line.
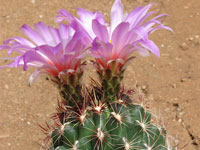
pixel 116 126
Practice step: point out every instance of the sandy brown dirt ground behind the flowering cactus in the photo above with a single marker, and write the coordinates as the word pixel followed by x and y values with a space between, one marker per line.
pixel 171 83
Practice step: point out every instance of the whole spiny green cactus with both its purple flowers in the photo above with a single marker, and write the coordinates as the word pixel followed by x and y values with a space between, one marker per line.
pixel 103 116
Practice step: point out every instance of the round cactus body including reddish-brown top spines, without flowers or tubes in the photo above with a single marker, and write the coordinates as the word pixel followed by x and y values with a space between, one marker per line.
pixel 97 123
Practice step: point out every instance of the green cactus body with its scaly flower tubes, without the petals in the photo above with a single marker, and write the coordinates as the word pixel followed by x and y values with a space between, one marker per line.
pixel 104 118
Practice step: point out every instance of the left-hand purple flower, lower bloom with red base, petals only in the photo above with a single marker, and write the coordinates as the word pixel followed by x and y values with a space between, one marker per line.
pixel 54 51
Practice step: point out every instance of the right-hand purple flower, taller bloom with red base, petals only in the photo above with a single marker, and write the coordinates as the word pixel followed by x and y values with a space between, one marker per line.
pixel 126 33
